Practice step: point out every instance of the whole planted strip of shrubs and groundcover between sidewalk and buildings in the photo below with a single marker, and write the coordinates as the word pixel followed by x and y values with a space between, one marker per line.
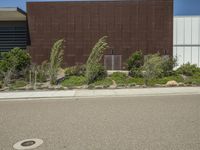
pixel 17 72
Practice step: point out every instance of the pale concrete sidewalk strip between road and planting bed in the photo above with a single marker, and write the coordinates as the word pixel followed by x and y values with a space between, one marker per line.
pixel 100 93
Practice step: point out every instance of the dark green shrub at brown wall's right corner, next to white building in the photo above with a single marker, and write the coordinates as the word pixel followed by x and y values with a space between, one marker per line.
pixel 168 64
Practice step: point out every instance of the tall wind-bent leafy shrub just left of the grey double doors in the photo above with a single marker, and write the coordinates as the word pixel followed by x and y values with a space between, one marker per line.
pixel 94 70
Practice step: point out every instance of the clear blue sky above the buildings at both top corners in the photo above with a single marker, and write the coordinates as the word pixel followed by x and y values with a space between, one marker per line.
pixel 181 7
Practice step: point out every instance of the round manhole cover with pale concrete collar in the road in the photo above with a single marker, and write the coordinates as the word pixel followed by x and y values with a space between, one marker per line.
pixel 28 144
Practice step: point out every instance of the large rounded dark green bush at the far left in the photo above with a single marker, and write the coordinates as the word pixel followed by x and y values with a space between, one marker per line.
pixel 17 59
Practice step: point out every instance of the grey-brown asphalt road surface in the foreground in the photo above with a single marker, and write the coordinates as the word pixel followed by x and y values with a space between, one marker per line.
pixel 137 123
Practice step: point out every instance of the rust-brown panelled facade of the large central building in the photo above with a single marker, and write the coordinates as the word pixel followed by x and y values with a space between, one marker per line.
pixel 132 25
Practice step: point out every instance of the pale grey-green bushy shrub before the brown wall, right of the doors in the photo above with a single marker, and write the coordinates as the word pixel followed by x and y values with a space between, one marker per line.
pixel 152 67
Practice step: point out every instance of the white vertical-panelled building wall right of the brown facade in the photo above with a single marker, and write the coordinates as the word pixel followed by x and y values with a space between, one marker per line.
pixel 187 39
